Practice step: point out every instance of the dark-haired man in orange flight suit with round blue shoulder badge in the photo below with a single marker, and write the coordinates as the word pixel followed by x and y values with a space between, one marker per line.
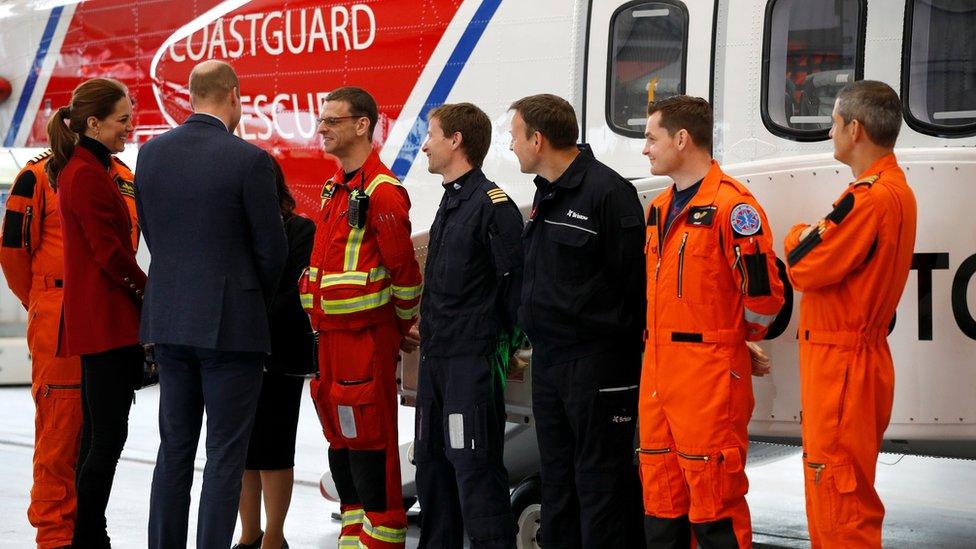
pixel 712 286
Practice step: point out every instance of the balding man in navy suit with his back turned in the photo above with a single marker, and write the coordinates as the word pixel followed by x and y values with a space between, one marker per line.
pixel 208 209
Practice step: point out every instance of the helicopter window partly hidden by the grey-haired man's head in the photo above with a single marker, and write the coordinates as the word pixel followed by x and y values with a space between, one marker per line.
pixel 811 51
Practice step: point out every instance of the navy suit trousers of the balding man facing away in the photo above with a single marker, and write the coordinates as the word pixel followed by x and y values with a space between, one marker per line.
pixel 225 384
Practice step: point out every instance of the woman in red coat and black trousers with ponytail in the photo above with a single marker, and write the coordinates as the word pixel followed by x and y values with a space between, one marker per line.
pixel 103 287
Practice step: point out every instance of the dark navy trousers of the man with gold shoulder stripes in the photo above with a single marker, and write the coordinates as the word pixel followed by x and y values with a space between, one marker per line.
pixel 459 442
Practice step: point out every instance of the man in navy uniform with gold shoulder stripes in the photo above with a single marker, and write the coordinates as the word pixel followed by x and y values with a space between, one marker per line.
pixel 472 280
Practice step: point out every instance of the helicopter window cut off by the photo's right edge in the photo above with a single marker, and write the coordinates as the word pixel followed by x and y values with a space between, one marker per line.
pixel 940 67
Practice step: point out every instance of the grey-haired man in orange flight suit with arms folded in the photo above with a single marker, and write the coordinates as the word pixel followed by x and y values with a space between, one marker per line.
pixel 851 267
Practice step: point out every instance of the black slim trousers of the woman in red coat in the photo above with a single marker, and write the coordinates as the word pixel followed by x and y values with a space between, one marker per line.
pixel 108 380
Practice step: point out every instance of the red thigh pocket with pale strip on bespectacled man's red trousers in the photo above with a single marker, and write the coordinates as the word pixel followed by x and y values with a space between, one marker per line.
pixel 357 414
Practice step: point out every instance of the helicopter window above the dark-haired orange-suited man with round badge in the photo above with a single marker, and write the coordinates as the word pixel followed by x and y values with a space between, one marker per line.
pixel 648 42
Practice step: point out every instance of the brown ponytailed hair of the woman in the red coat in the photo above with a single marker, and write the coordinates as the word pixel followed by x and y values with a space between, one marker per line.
pixel 96 97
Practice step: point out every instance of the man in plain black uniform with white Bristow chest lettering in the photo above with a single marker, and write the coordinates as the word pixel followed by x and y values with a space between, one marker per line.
pixel 583 309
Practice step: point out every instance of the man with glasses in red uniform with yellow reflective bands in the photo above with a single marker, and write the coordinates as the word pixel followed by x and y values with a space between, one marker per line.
pixel 362 290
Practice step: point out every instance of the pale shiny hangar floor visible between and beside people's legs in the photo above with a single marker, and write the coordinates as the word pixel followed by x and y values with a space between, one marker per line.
pixel 931 502
